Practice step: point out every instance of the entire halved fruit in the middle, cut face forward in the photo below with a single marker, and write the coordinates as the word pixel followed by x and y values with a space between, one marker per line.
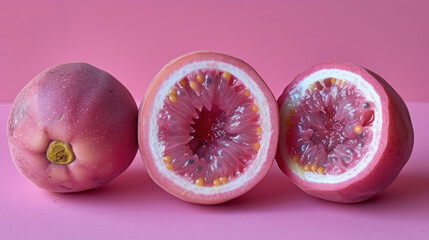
pixel 208 128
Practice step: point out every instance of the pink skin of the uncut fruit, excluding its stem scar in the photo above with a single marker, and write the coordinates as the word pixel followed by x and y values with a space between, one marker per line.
pixel 81 105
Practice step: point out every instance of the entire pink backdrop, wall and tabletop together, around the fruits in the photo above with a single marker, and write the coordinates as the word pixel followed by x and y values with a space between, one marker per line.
pixel 134 39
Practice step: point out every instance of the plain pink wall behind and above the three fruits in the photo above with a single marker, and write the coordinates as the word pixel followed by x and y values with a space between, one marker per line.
pixel 133 39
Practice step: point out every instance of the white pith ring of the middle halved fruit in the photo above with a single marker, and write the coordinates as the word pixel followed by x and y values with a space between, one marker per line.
pixel 157 148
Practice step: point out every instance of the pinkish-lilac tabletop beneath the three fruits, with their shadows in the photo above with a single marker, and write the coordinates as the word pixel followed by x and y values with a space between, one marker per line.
pixel 133 207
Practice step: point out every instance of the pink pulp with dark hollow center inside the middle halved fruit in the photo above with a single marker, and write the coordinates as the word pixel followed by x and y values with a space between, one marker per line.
pixel 210 128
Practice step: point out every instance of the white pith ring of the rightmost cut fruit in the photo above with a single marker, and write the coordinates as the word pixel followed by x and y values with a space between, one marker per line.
pixel 299 92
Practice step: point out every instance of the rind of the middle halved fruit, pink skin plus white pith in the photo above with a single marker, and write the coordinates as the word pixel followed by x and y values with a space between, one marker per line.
pixel 151 149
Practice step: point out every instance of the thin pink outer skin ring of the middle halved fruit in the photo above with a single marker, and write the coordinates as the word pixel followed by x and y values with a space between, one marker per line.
pixel 144 133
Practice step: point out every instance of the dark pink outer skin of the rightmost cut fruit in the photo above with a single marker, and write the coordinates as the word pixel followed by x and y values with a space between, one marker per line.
pixel 395 147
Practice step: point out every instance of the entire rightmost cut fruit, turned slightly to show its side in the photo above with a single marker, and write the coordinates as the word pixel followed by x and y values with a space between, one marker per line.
pixel 345 134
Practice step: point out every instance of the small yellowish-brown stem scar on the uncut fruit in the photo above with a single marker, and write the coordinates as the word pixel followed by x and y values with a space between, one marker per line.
pixel 60 152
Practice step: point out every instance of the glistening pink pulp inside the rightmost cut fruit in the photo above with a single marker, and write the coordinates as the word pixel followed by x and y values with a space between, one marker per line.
pixel 329 129
